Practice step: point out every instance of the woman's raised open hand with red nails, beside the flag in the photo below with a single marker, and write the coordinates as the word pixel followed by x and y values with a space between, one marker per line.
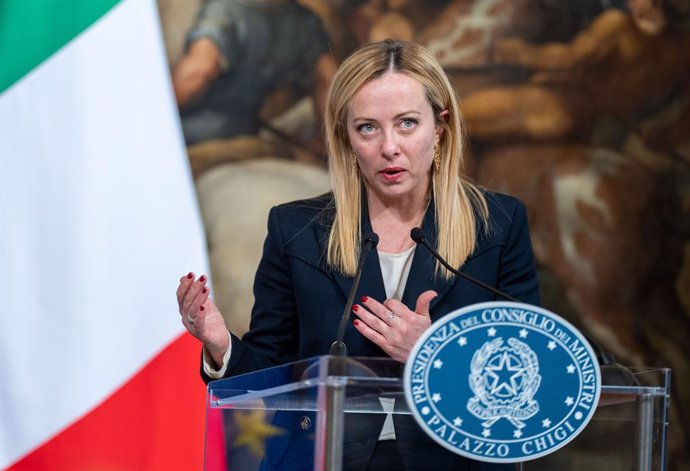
pixel 201 317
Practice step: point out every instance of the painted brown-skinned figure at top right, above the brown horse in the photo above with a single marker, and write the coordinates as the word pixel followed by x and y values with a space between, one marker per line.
pixel 623 66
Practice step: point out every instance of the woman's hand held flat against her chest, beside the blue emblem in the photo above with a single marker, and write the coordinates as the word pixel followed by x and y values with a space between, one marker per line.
pixel 391 325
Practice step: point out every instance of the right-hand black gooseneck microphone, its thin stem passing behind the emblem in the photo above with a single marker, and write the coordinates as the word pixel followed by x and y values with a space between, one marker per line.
pixel 619 376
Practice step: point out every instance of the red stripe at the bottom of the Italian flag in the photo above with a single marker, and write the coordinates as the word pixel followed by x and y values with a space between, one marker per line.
pixel 154 422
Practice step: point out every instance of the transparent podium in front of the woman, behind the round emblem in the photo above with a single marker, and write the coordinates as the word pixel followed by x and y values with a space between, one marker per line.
pixel 299 416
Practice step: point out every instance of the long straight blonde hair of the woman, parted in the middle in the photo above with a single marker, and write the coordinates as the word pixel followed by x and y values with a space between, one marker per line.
pixel 455 199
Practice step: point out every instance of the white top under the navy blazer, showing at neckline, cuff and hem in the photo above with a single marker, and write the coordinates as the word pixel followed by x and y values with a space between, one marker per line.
pixel 395 268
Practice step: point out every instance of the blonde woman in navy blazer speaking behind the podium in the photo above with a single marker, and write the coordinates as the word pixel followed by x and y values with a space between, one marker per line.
pixel 394 137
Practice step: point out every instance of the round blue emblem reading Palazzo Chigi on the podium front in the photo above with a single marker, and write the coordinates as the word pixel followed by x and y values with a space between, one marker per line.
pixel 502 382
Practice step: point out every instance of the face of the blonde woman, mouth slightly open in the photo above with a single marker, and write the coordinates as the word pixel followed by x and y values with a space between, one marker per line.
pixel 392 130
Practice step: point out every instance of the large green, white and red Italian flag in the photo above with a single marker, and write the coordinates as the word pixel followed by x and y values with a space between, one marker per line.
pixel 98 220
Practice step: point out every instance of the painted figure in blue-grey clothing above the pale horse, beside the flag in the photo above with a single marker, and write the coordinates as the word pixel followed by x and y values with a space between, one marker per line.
pixel 239 52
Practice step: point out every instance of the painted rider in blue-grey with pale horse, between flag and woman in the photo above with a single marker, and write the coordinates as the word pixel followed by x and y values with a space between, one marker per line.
pixel 238 53
